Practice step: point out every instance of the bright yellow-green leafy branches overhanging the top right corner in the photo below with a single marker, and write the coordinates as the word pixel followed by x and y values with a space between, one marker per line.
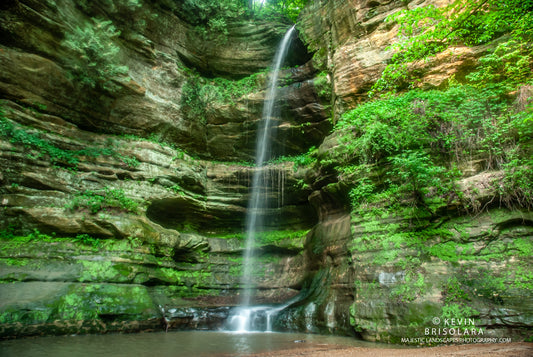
pixel 428 30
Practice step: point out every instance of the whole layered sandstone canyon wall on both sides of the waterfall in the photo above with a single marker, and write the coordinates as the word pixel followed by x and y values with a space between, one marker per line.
pixel 121 197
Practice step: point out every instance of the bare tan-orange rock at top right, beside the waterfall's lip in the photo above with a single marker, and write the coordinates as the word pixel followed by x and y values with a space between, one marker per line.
pixel 352 40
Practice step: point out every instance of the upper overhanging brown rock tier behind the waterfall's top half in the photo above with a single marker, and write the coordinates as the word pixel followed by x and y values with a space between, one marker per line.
pixel 35 70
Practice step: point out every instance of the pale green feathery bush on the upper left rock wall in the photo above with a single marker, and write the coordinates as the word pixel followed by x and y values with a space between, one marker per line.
pixel 97 57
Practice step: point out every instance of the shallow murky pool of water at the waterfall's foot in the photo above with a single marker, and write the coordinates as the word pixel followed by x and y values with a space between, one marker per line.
pixel 184 343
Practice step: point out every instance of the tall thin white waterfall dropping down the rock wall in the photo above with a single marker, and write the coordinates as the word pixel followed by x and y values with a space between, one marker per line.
pixel 242 321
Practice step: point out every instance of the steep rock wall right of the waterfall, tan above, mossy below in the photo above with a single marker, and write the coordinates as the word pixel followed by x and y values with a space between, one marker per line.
pixel 388 276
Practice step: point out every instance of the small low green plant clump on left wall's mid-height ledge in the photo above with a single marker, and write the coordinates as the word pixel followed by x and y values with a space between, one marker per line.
pixel 96 201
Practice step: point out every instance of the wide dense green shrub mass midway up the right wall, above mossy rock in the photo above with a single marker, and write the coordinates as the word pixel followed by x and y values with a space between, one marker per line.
pixel 422 137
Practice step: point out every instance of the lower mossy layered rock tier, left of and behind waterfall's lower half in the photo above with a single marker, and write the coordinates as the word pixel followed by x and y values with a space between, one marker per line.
pixel 167 226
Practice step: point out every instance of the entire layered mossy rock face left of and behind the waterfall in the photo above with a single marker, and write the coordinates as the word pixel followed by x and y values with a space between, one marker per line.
pixel 120 197
